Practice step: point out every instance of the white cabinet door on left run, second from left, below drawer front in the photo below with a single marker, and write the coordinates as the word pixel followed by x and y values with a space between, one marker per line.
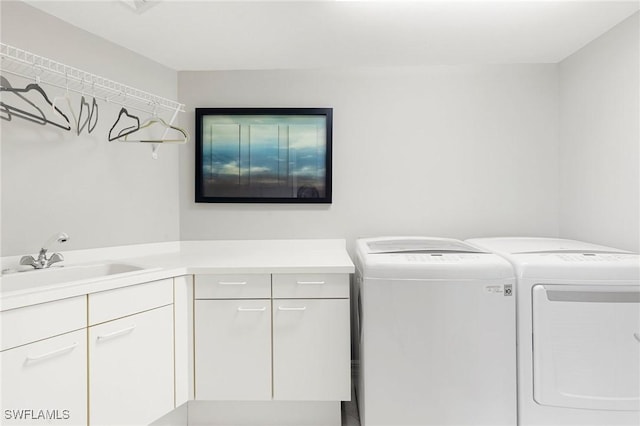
pixel 131 369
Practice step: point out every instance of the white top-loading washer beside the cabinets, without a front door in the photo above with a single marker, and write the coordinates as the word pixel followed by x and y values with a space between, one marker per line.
pixel 437 334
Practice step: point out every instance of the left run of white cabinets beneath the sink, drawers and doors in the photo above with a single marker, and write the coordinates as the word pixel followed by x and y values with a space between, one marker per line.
pixel 129 378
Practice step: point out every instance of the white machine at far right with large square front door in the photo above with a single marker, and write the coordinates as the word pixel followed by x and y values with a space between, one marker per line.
pixel 578 310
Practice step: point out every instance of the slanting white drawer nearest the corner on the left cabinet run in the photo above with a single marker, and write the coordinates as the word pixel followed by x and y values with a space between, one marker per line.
pixel 112 304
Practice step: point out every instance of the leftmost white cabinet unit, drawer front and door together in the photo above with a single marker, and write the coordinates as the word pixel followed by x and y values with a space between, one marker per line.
pixel 43 363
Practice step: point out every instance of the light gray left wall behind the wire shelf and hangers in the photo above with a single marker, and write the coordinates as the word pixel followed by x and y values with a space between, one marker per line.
pixel 101 193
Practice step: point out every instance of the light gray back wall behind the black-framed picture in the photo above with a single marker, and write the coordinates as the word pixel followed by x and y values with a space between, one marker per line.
pixel 447 151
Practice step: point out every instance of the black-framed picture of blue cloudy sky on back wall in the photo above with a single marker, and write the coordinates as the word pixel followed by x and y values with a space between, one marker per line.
pixel 263 155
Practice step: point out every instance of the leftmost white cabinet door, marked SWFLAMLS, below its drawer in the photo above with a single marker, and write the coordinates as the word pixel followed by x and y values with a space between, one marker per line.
pixel 46 382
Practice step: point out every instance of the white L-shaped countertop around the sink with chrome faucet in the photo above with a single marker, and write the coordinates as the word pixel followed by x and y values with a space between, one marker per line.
pixel 167 260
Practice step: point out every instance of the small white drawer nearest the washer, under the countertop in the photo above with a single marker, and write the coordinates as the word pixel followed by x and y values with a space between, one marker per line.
pixel 317 286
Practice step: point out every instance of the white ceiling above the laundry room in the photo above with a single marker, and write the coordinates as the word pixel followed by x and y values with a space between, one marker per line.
pixel 217 35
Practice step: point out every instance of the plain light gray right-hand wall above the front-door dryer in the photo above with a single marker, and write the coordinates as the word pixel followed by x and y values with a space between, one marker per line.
pixel 600 139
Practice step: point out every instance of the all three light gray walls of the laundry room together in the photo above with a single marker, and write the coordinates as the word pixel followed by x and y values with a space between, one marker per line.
pixel 451 151
